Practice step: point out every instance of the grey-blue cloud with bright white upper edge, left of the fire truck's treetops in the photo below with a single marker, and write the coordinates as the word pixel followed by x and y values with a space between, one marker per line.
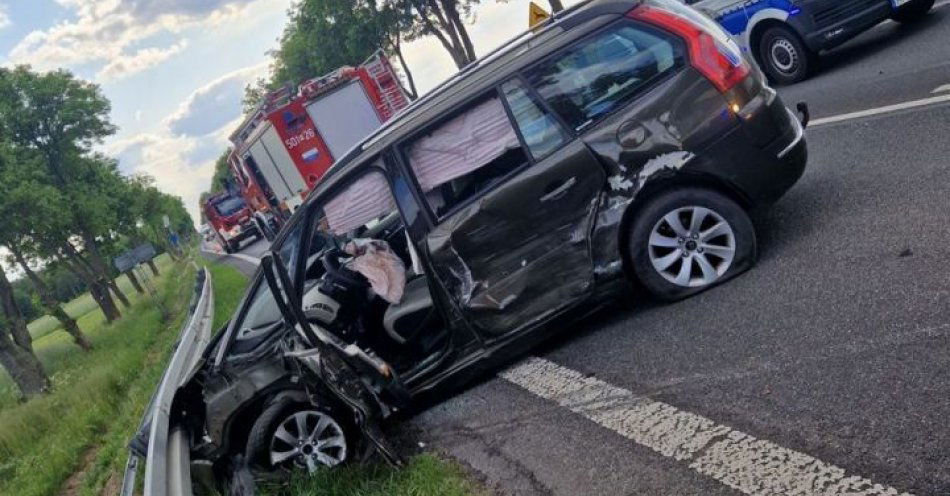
pixel 214 104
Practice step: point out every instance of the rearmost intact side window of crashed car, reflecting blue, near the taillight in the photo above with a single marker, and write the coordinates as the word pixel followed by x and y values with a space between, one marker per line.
pixel 599 74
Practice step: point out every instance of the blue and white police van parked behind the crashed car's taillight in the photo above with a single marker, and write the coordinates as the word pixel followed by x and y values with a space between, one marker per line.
pixel 785 36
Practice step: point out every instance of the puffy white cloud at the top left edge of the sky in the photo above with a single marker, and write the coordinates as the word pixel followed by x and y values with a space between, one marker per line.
pixel 106 31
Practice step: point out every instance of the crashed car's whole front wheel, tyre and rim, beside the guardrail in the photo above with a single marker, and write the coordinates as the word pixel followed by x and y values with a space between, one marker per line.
pixel 291 435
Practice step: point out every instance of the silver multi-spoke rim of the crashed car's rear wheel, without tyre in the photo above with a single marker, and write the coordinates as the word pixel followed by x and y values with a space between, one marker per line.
pixel 692 246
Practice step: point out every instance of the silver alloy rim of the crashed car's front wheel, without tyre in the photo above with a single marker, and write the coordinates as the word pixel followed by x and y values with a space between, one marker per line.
pixel 310 439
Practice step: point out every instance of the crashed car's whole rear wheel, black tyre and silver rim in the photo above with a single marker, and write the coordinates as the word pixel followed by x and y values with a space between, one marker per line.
pixel 689 240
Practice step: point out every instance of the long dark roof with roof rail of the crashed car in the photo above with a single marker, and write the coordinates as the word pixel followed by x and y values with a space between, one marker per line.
pixel 474 80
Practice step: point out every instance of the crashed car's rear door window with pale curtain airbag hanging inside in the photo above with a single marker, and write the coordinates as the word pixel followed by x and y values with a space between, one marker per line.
pixel 465 155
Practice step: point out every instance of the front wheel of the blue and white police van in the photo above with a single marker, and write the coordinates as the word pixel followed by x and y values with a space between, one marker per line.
pixel 784 57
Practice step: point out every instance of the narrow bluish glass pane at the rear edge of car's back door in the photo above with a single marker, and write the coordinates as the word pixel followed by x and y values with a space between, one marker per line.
pixel 541 132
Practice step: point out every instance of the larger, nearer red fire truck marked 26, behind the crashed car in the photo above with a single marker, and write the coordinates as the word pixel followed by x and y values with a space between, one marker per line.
pixel 285 146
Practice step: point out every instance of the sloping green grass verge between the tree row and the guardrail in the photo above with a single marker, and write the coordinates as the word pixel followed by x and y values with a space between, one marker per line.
pixel 98 397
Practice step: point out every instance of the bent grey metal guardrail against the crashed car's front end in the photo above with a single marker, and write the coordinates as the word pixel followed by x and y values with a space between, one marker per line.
pixel 166 450
